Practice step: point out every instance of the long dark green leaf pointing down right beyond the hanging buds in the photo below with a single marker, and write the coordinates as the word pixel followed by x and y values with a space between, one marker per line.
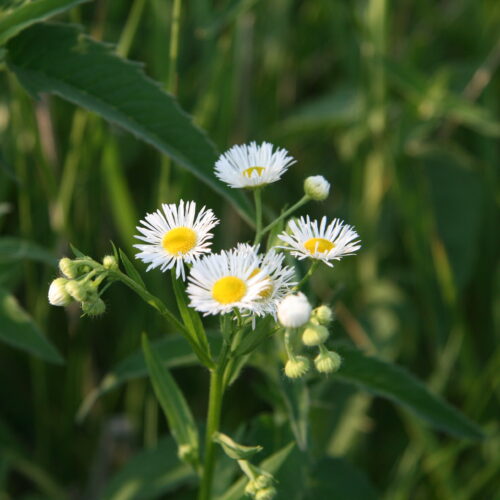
pixel 396 384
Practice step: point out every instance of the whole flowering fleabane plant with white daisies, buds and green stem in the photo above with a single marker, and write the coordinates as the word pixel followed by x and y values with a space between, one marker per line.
pixel 252 289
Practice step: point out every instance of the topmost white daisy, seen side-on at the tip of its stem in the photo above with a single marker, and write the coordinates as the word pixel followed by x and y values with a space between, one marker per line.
pixel 252 165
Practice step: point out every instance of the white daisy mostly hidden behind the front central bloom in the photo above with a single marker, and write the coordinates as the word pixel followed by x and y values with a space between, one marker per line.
pixel 280 278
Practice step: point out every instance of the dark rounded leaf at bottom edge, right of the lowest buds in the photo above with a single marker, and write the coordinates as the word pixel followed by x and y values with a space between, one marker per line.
pixel 337 478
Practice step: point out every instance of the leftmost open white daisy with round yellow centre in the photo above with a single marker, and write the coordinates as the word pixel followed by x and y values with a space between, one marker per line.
pixel 175 235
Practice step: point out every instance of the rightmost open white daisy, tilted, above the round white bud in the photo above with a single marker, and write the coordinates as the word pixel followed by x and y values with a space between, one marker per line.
pixel 317 240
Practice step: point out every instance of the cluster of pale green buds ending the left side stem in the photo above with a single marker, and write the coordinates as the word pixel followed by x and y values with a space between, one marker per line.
pixel 80 283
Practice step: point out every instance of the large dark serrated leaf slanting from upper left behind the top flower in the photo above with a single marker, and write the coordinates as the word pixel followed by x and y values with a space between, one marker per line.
pixel 61 60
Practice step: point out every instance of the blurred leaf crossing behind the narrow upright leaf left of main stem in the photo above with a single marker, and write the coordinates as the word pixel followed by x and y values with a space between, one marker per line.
pixel 173 351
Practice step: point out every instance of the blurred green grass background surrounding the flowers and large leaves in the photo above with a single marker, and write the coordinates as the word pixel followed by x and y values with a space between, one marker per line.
pixel 396 104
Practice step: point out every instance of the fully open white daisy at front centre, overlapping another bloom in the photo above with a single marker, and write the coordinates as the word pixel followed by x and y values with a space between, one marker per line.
pixel 220 283
